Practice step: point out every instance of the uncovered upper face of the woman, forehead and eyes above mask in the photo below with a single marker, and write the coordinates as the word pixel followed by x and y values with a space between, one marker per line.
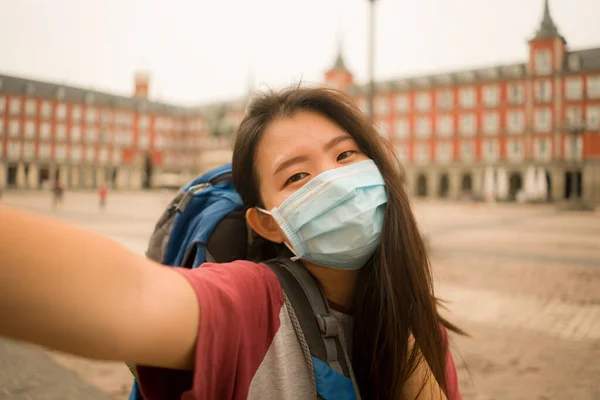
pixel 294 150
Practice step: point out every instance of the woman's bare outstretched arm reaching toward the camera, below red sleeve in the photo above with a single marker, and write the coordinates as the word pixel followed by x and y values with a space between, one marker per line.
pixel 79 292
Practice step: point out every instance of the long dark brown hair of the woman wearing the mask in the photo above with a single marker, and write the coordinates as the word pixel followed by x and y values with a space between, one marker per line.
pixel 394 295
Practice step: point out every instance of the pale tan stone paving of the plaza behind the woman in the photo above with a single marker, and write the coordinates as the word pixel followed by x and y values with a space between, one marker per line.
pixel 523 281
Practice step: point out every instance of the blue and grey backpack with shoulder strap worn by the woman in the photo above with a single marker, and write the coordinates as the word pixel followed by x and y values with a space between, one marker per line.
pixel 205 222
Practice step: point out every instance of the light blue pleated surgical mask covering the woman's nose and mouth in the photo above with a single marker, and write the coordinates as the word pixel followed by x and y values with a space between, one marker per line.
pixel 335 220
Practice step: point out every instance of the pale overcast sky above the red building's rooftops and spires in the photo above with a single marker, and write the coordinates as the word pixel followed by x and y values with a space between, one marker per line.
pixel 200 50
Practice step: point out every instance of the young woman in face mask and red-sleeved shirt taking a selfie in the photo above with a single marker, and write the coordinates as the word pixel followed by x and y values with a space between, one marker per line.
pixel 316 178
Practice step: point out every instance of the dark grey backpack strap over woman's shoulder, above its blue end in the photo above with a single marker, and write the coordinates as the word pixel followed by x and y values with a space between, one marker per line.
pixel 321 329
